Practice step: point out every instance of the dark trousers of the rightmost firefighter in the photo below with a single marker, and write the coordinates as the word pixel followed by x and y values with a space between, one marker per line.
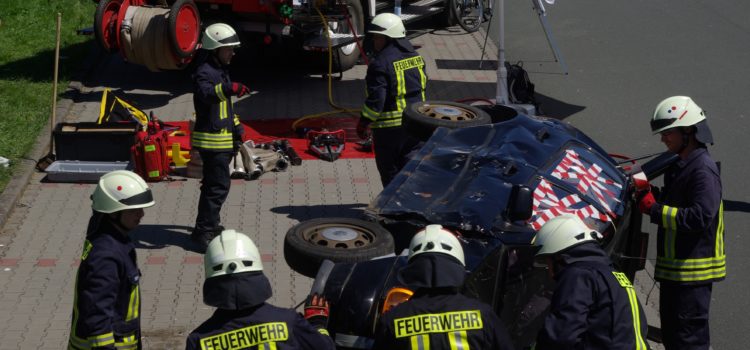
pixel 684 315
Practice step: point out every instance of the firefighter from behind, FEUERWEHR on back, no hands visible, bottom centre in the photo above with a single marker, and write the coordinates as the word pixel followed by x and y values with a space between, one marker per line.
pixel 438 316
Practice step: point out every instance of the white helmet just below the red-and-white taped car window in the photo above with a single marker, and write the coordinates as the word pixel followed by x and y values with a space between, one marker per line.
pixel 563 232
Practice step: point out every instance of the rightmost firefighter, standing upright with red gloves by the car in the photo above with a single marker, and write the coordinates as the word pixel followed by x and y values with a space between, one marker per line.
pixel 690 218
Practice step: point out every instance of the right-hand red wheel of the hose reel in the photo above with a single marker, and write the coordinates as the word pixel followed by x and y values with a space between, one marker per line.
pixel 179 35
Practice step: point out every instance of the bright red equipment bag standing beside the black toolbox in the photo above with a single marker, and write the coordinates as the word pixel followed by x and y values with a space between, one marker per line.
pixel 150 156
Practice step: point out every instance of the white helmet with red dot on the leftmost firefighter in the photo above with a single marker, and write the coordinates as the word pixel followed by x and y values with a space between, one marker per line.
pixel 121 190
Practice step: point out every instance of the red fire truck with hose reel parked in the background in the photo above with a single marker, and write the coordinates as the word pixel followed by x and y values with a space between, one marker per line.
pixel 165 34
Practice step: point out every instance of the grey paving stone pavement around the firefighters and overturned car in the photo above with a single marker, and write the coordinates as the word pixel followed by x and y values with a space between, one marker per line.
pixel 41 241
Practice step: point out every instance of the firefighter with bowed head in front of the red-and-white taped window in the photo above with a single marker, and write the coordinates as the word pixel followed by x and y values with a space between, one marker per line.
pixel 593 306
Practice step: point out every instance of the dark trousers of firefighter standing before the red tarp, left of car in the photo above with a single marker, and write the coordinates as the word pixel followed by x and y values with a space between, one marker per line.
pixel 214 189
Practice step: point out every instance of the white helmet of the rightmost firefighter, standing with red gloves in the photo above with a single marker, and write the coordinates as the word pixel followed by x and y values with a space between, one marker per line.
pixel 675 112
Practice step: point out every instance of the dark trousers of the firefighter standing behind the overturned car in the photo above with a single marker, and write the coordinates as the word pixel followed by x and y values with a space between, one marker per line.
pixel 392 147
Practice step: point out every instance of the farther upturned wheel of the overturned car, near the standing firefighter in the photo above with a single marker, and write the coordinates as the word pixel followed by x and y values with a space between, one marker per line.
pixel 420 119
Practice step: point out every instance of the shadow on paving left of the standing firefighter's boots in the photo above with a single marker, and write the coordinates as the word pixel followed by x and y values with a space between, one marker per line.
pixel 162 236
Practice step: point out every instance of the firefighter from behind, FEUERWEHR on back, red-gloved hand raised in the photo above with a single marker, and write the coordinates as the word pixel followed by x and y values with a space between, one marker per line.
pixel 236 286
